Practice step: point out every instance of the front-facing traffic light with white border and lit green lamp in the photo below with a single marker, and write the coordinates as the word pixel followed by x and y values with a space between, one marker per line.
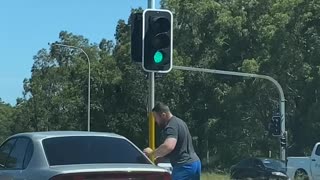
pixel 157 40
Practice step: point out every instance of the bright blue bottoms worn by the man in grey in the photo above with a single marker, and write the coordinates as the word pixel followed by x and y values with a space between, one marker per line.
pixel 191 171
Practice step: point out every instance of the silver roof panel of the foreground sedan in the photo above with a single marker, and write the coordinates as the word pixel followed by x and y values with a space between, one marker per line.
pixel 52 134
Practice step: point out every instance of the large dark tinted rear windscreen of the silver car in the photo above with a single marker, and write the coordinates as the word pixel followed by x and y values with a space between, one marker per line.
pixel 91 149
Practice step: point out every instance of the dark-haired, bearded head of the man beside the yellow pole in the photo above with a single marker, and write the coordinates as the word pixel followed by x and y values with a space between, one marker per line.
pixel 162 114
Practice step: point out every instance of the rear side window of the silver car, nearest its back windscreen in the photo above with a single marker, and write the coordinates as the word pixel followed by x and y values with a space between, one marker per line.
pixel 16 157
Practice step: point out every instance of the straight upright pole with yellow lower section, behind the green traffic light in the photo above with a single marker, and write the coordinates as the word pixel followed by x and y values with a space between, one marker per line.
pixel 151 5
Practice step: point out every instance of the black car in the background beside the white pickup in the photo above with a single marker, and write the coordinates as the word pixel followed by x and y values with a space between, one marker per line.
pixel 259 168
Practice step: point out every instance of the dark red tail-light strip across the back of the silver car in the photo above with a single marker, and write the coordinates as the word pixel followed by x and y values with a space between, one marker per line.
pixel 114 176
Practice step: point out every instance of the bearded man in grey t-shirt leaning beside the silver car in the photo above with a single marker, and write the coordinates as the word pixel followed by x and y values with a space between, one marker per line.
pixel 177 145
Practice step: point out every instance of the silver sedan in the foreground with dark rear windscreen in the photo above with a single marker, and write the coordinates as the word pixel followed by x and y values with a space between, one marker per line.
pixel 75 155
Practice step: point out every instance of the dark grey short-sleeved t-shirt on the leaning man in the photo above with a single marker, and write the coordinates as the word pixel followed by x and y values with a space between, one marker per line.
pixel 183 153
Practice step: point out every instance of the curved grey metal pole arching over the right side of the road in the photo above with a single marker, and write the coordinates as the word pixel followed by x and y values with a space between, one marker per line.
pixel 281 94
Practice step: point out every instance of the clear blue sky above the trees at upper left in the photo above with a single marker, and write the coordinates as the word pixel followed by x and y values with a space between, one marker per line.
pixel 26 26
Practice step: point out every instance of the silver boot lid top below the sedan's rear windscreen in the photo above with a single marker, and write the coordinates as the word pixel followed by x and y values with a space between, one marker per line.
pixel 77 168
